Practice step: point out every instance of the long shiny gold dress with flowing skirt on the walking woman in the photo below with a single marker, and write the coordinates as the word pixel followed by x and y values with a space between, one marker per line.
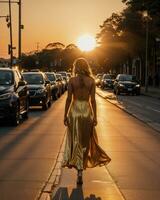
pixel 82 150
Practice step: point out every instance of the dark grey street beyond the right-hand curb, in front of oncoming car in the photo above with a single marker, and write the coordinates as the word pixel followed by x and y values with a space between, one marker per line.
pixel 143 107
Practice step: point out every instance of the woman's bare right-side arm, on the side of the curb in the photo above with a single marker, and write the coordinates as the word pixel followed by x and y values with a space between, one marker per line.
pixel 93 102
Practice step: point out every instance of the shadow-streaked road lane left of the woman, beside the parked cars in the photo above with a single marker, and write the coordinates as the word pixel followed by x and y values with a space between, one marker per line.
pixel 28 153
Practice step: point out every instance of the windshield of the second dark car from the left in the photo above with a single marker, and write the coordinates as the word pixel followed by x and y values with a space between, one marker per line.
pixel 33 79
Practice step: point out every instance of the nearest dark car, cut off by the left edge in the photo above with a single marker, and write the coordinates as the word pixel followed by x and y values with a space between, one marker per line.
pixel 13 95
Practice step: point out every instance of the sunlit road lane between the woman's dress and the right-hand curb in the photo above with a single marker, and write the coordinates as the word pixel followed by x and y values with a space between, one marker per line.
pixel 135 152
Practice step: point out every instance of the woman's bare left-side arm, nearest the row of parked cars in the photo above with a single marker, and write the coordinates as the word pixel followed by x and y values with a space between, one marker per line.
pixel 68 101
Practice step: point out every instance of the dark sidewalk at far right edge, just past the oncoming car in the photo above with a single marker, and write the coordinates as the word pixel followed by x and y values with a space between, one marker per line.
pixel 152 92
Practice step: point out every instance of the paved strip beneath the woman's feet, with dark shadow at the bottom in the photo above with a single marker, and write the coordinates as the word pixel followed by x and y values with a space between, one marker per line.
pixel 98 185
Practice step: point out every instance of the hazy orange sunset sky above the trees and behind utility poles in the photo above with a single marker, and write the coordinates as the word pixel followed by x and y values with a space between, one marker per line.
pixel 48 21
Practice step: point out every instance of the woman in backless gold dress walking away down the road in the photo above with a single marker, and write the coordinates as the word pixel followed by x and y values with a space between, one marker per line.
pixel 82 150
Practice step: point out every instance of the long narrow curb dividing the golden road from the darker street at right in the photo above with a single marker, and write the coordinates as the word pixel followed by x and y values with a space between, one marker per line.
pixel 130 113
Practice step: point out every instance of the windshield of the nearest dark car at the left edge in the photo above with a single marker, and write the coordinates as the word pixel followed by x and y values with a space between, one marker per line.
pixel 6 77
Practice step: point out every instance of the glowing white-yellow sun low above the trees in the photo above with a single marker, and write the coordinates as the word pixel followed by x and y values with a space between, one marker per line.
pixel 86 42
